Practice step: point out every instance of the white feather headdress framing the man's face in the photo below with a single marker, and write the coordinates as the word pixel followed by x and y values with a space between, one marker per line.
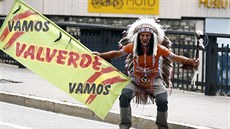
pixel 145 24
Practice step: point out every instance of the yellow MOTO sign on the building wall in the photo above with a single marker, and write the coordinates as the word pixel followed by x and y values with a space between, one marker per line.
pixel 124 6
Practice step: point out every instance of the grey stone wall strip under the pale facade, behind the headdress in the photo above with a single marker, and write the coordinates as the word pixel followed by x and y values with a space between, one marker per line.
pixel 168 24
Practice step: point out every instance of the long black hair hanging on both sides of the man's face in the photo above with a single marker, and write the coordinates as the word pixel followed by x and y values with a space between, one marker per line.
pixel 139 46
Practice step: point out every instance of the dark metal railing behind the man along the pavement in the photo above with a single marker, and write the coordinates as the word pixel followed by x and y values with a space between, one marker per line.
pixel 214 70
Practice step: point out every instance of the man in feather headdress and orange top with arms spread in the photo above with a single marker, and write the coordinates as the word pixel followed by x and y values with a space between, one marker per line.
pixel 145 36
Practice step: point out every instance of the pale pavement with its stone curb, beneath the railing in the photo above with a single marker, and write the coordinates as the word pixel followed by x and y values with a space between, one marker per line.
pixel 187 110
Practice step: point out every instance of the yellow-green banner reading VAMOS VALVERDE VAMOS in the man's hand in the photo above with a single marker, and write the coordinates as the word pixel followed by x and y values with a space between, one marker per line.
pixel 46 49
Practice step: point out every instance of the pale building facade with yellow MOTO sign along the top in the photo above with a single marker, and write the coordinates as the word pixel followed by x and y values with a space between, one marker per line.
pixel 184 15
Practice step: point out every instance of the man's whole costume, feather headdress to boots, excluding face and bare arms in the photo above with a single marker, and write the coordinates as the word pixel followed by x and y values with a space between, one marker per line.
pixel 146 66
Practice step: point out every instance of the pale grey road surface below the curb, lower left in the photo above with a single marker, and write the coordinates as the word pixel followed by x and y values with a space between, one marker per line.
pixel 20 117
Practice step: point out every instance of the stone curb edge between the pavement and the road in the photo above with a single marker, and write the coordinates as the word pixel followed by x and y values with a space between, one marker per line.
pixel 82 111
